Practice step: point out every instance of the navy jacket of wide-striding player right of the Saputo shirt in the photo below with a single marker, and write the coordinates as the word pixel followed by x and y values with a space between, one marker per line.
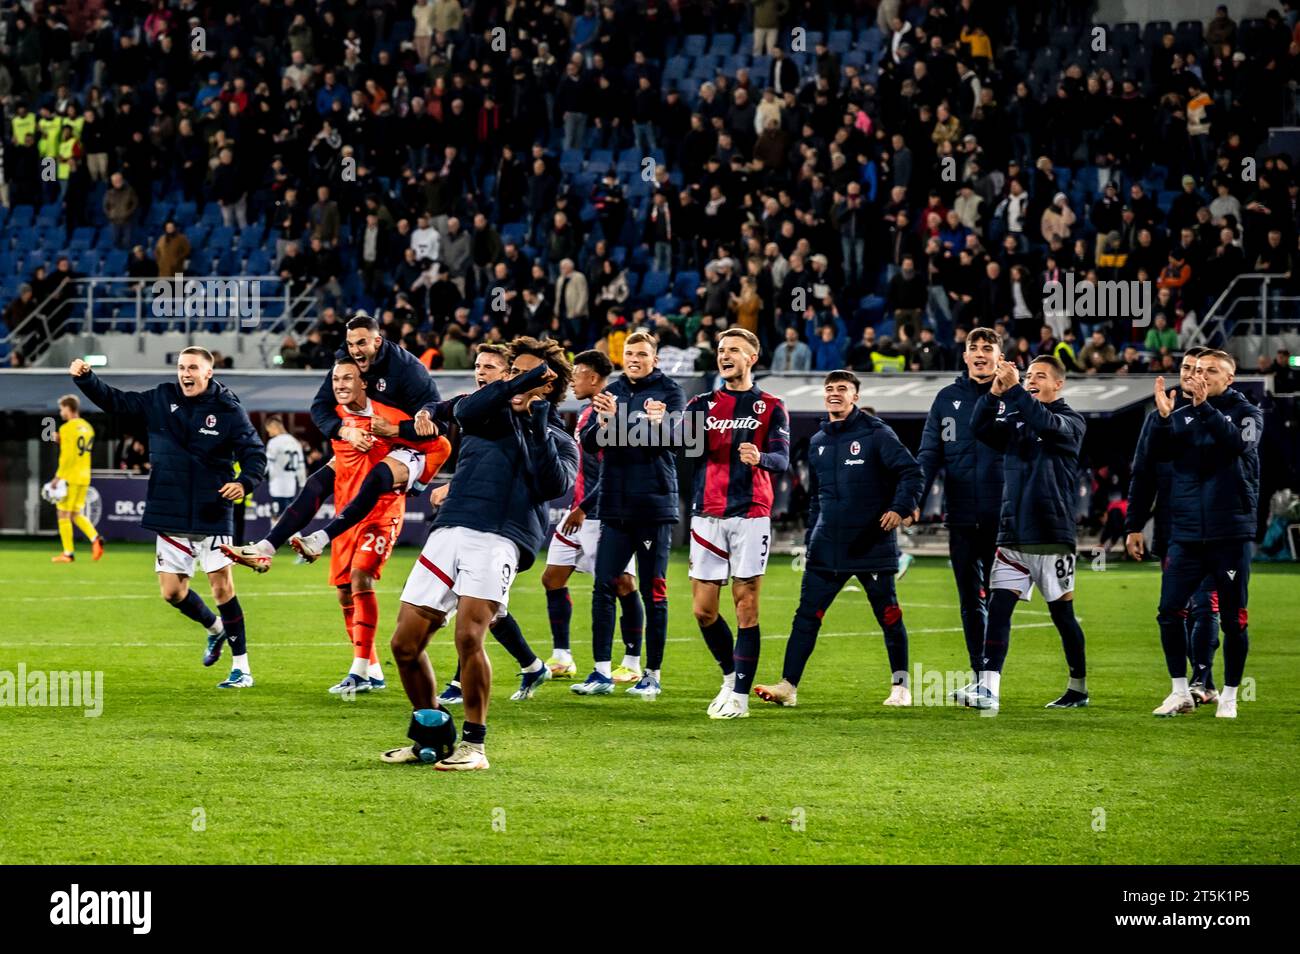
pixel 859 470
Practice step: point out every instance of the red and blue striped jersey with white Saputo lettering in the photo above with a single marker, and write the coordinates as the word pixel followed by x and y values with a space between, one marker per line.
pixel 726 487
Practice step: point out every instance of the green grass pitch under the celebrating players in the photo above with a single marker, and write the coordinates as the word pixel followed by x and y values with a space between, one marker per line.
pixel 176 771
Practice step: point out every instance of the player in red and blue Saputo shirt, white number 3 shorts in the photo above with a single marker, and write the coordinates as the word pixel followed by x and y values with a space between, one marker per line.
pixel 747 440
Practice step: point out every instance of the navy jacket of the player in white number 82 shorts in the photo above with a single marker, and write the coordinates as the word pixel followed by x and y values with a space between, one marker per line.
pixel 1042 445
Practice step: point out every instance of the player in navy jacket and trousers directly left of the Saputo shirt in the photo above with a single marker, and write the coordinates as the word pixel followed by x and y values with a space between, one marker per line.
pixel 639 506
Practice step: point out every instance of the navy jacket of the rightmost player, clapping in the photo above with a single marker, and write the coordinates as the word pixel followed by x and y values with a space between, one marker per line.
pixel 1215 450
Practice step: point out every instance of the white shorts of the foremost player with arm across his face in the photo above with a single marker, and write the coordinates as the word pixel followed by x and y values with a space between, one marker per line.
pixel 458 562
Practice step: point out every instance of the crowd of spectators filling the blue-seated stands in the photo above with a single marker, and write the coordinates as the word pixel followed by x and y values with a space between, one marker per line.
pixel 857 184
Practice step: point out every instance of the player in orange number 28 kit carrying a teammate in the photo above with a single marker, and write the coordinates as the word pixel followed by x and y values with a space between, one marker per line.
pixel 359 554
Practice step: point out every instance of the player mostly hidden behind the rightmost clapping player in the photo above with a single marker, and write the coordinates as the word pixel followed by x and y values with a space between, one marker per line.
pixel 1150 497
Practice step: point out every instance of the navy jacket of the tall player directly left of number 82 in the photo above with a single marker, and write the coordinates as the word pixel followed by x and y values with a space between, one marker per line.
pixel 973 471
